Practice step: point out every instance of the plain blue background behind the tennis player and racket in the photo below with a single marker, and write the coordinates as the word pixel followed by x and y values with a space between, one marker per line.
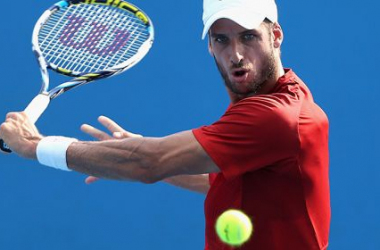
pixel 332 45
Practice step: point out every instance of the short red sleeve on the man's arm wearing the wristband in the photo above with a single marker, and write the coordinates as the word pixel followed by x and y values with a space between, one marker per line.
pixel 254 133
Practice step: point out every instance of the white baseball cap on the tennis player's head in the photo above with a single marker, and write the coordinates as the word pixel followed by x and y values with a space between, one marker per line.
pixel 247 13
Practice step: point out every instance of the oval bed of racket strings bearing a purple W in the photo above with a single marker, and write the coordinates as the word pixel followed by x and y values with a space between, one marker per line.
pixel 90 38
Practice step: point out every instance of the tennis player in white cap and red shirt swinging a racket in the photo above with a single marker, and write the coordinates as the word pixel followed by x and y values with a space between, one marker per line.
pixel 267 155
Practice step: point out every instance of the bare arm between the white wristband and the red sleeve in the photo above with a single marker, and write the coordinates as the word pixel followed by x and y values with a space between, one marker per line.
pixel 141 159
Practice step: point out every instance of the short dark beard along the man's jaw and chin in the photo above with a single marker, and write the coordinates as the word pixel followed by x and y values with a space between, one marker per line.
pixel 266 73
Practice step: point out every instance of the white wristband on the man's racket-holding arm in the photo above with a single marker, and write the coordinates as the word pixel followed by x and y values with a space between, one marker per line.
pixel 51 151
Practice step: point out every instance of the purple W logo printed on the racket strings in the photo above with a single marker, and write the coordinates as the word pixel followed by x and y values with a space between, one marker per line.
pixel 95 38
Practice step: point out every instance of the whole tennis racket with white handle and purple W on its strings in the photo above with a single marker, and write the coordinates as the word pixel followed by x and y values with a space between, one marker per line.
pixel 87 40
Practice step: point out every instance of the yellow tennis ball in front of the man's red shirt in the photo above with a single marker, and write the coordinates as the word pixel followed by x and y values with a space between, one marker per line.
pixel 234 227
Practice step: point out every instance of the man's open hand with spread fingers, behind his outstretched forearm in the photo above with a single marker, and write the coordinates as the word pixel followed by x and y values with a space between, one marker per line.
pixel 116 131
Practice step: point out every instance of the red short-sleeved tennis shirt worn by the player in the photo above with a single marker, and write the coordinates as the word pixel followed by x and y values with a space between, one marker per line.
pixel 272 151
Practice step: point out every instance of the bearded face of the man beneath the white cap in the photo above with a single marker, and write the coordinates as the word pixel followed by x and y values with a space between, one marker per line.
pixel 245 58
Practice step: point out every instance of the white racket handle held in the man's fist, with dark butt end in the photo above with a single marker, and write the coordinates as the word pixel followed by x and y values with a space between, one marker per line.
pixel 34 110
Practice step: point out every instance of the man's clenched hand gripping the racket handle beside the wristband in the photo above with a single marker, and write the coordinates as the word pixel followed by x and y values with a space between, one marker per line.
pixel 20 134
